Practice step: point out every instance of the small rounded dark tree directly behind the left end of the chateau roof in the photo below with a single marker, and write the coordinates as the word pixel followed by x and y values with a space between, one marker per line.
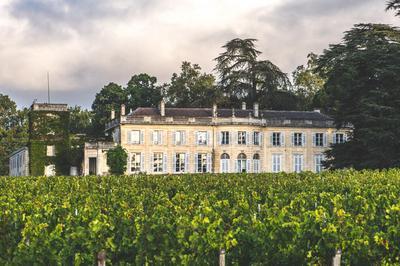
pixel 142 91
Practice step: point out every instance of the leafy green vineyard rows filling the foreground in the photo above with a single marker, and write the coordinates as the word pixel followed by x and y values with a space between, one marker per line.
pixel 264 219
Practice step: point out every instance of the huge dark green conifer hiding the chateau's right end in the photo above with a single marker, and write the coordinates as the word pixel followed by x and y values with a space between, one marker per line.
pixel 363 89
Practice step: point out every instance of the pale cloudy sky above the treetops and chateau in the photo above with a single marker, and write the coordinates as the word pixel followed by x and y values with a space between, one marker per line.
pixel 85 44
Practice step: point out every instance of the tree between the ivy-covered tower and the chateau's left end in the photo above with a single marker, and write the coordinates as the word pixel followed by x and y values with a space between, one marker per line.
pixel 110 97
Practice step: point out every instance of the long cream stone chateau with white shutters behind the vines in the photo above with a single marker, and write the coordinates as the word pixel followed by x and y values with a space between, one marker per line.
pixel 200 140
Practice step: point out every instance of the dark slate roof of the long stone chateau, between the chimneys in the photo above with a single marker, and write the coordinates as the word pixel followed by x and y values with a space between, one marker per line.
pixel 207 113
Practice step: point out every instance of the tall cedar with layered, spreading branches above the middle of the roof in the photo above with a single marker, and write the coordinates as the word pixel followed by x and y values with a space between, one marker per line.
pixel 242 77
